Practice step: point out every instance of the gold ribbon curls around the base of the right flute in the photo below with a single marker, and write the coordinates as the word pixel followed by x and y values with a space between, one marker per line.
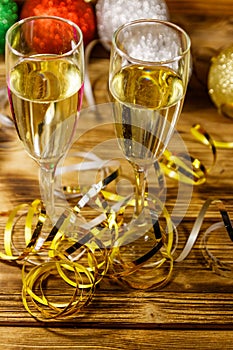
pixel 145 270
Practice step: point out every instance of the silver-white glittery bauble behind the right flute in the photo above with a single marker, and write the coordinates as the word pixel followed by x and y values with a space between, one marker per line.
pixel 113 13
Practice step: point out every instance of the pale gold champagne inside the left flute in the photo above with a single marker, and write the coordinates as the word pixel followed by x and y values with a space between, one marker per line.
pixel 45 98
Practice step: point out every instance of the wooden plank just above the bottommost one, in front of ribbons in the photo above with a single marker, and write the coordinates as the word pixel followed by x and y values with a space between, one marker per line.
pixel 195 297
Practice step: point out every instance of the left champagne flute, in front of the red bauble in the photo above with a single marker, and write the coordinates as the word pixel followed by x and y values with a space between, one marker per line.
pixel 45 74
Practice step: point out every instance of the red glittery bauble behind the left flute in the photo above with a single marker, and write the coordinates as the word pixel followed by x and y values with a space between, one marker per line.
pixel 78 11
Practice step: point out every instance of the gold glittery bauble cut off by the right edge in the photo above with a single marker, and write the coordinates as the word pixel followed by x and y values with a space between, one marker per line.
pixel 220 81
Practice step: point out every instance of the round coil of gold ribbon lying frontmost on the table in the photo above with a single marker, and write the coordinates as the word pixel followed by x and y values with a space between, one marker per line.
pixel 35 289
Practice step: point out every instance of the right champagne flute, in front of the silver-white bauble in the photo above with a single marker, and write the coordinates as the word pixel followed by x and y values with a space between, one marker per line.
pixel 148 77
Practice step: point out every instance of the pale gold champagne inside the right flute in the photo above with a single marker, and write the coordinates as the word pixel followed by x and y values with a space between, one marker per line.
pixel 148 101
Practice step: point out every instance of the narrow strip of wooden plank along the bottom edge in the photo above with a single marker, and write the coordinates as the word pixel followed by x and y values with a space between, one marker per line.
pixel 13 338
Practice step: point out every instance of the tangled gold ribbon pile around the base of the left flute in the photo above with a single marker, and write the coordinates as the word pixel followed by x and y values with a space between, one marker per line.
pixel 86 258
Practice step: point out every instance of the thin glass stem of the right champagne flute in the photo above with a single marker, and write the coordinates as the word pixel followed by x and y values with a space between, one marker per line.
pixel 140 189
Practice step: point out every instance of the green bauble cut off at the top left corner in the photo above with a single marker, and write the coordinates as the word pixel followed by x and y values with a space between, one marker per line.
pixel 8 16
